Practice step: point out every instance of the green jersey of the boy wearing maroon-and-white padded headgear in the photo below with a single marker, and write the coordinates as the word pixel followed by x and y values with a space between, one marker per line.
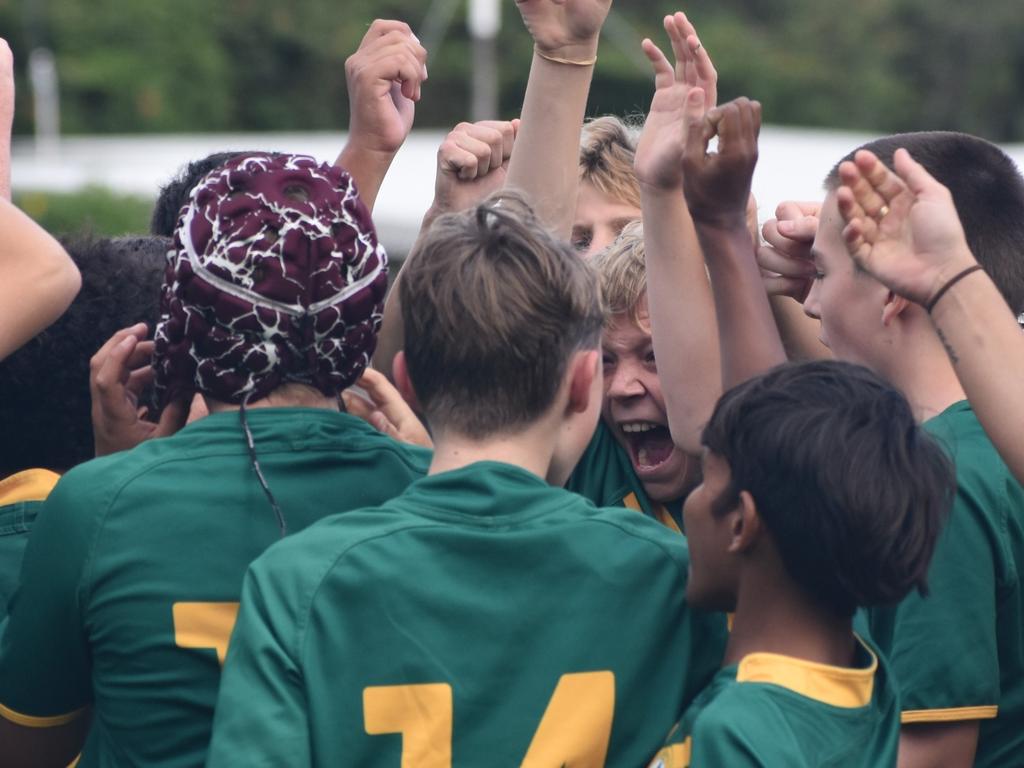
pixel 134 573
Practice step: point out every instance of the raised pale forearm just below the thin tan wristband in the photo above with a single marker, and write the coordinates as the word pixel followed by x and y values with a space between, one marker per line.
pixel 545 164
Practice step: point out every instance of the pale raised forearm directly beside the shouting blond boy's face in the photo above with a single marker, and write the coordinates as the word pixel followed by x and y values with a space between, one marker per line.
pixel 682 313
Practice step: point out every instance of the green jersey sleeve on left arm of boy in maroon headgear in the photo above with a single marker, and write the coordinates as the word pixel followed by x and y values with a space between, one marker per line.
pixel 46 675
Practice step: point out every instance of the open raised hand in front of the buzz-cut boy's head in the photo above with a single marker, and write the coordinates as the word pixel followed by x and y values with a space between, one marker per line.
pixel 902 228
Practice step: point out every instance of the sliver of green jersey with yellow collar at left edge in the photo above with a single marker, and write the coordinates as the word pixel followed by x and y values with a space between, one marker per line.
pixel 21 497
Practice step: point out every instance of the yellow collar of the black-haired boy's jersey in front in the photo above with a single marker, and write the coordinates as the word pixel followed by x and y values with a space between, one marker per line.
pixel 838 687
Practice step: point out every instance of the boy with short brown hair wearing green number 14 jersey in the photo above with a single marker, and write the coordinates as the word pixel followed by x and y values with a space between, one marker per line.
pixel 485 617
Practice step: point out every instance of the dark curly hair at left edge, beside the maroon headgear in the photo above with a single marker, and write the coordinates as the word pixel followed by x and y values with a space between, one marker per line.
pixel 45 387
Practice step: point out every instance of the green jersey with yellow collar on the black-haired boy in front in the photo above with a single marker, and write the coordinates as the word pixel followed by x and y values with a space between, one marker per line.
pixel 773 711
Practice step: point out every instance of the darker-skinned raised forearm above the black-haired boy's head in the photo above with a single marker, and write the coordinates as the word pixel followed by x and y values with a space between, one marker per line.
pixel 750 343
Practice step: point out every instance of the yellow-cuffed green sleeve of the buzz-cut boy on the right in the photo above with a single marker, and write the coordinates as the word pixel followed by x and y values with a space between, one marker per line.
pixel 944 648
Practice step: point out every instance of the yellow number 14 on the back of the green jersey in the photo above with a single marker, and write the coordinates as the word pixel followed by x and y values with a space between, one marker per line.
pixel 576 729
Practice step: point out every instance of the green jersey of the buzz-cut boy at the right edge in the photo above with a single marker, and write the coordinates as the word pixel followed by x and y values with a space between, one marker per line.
pixel 959 654
